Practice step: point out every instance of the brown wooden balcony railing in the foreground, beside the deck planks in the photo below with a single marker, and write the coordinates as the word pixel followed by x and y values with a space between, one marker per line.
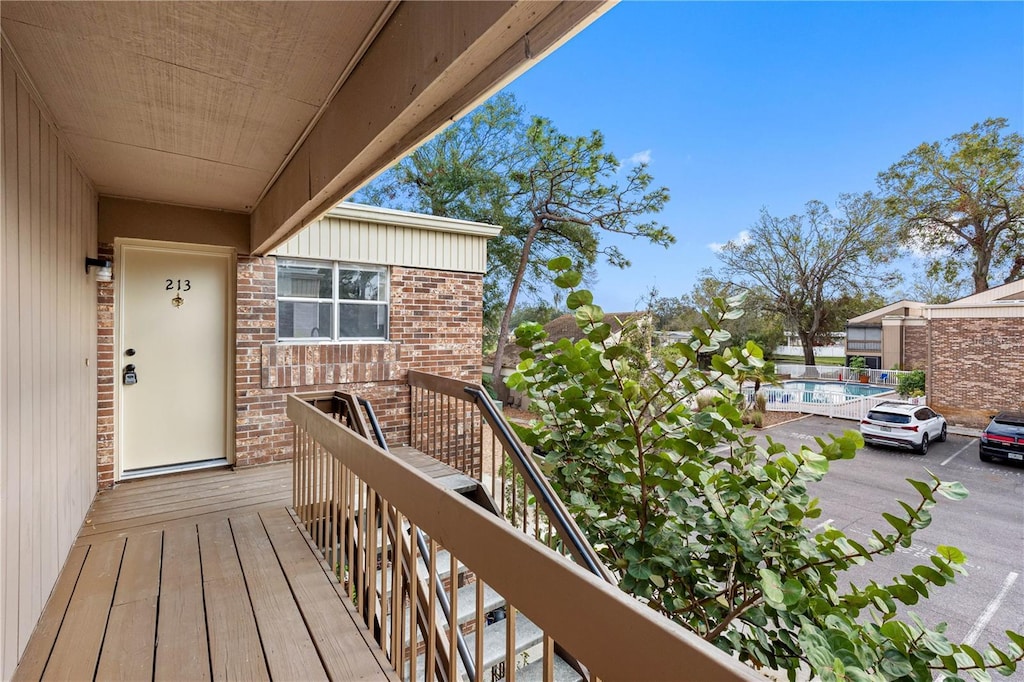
pixel 365 504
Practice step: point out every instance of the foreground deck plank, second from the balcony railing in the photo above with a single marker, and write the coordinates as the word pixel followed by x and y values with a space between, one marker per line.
pixel 287 646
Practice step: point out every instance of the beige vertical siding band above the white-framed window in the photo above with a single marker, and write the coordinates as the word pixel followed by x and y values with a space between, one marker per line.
pixel 359 242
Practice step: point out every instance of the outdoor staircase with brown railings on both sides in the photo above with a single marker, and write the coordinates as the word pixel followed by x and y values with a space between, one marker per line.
pixel 396 534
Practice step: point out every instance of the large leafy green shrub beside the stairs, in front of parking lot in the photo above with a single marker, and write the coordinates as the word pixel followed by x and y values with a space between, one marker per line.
pixel 713 531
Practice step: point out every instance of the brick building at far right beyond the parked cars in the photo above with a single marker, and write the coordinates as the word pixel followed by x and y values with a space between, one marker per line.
pixel 972 351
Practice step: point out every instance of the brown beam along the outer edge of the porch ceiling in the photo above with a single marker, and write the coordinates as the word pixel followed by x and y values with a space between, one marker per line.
pixel 431 64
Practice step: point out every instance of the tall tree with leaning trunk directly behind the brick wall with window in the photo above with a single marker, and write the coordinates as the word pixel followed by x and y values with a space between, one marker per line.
pixel 548 191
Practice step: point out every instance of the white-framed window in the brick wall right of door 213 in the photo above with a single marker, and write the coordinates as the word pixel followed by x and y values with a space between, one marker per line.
pixel 330 302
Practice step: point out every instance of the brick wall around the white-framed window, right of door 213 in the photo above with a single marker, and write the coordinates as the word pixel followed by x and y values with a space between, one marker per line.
pixel 436 326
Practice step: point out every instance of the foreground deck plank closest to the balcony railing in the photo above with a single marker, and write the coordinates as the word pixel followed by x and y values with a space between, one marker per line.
pixel 340 638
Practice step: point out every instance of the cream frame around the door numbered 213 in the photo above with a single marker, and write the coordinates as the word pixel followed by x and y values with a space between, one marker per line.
pixel 231 266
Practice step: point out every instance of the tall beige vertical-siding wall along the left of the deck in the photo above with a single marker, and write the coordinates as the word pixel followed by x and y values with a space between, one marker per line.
pixel 48 361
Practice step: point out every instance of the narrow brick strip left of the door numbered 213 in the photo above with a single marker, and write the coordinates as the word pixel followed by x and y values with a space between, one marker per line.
pixel 105 376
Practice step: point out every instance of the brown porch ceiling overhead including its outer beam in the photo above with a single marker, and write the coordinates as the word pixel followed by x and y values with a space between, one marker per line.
pixel 279 110
